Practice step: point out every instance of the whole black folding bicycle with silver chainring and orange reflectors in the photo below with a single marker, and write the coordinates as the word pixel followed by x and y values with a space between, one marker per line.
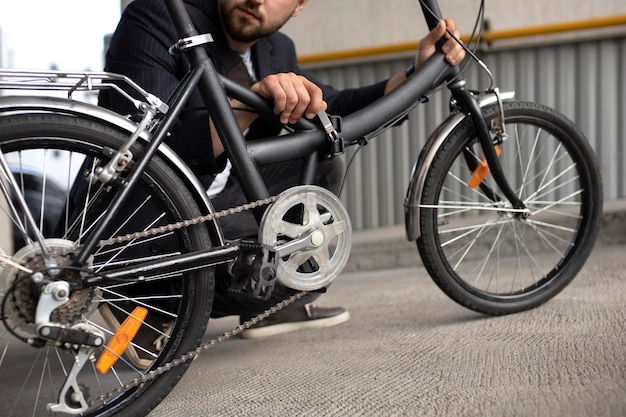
pixel 129 225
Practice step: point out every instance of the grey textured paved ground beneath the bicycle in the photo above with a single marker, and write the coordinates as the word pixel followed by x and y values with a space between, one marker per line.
pixel 408 350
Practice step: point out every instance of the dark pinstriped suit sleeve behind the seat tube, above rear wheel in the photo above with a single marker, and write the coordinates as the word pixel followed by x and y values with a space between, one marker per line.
pixel 139 50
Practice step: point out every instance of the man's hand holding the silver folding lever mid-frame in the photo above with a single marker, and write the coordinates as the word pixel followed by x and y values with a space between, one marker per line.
pixel 293 95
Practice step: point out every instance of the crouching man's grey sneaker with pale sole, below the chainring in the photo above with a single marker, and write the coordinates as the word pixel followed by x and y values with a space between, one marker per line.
pixel 299 318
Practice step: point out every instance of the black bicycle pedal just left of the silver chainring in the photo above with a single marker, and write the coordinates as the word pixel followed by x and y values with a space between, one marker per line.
pixel 254 272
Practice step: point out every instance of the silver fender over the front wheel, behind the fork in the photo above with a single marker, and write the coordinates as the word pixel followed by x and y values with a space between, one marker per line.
pixel 421 166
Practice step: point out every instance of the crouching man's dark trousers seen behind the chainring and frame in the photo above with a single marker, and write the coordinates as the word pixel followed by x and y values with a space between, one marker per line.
pixel 278 178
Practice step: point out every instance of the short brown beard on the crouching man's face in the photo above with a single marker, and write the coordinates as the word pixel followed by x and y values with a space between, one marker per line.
pixel 243 30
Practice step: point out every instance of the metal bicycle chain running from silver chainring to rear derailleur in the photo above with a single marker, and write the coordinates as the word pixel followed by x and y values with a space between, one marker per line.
pixel 102 399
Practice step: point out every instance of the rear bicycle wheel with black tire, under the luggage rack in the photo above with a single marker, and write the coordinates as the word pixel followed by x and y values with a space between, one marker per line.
pixel 182 299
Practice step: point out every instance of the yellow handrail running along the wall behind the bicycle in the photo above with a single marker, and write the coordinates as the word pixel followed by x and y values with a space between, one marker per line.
pixel 488 36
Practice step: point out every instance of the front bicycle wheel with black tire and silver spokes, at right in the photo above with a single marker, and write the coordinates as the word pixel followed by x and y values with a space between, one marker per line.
pixel 495 261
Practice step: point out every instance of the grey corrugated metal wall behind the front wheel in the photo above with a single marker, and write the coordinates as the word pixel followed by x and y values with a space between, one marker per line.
pixel 584 80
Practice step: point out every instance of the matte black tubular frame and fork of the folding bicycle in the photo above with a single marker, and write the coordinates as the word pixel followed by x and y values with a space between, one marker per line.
pixel 306 142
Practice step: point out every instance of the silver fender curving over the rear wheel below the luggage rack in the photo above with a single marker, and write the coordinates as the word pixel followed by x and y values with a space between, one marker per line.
pixel 44 104
